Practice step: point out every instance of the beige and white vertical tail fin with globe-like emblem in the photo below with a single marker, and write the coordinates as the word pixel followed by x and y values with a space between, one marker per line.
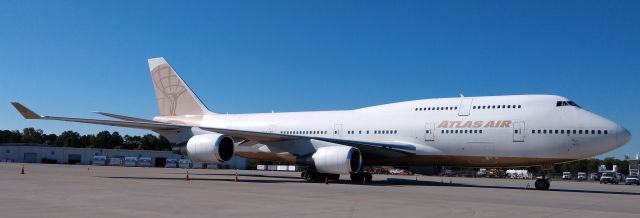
pixel 173 95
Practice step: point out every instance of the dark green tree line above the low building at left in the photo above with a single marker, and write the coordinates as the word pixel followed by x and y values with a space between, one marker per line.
pixel 103 139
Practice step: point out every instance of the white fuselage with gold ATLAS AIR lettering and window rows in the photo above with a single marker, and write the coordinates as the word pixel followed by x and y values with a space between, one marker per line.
pixel 467 131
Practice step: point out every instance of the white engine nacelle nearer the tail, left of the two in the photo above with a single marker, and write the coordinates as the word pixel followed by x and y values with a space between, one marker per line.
pixel 209 148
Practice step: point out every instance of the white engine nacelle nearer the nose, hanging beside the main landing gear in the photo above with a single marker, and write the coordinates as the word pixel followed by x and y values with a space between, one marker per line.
pixel 337 159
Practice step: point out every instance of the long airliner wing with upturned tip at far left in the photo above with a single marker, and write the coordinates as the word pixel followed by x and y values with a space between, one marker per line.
pixel 387 149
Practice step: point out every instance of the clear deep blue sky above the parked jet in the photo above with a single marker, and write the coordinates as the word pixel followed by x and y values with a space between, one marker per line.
pixel 74 57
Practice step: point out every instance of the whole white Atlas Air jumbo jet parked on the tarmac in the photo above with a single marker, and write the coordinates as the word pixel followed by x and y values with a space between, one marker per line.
pixel 491 131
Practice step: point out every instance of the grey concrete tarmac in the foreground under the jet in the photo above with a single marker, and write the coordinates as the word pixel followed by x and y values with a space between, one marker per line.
pixel 90 191
